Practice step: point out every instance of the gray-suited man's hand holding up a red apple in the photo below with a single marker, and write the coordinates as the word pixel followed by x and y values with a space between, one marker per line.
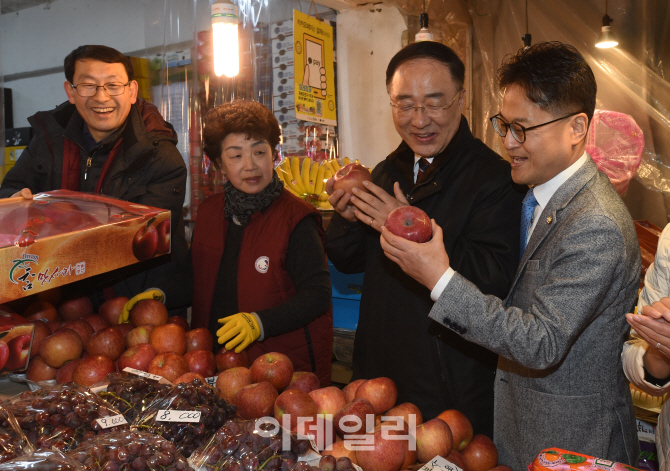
pixel 425 262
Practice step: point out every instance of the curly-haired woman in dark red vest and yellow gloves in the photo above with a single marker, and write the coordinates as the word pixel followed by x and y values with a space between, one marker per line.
pixel 260 275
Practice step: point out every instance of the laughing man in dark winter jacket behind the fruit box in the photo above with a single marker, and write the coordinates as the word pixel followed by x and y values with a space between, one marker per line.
pixel 107 141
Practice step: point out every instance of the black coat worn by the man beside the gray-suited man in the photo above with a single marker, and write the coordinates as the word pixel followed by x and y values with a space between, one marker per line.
pixel 470 194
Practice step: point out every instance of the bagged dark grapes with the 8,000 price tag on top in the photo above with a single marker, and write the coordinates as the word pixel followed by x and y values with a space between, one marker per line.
pixel 193 396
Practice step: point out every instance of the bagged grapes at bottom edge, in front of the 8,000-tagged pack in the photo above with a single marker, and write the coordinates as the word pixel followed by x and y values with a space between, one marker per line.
pixel 136 451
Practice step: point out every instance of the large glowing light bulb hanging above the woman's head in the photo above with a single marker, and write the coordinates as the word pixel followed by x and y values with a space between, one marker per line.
pixel 225 39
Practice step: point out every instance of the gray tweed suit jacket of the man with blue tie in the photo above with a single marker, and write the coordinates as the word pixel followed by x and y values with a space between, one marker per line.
pixel 560 331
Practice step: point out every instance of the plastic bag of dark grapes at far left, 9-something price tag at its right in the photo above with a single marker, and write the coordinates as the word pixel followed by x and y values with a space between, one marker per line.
pixel 63 416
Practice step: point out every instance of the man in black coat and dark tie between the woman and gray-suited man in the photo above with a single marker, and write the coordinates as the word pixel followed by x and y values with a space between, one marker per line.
pixel 462 184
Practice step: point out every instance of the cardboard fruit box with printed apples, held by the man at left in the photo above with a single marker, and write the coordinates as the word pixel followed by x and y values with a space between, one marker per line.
pixel 64 236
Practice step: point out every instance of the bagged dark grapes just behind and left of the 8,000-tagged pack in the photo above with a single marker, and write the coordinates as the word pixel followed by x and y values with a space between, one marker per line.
pixel 132 394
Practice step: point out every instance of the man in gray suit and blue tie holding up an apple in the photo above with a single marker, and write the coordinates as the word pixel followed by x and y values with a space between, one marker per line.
pixel 560 330
